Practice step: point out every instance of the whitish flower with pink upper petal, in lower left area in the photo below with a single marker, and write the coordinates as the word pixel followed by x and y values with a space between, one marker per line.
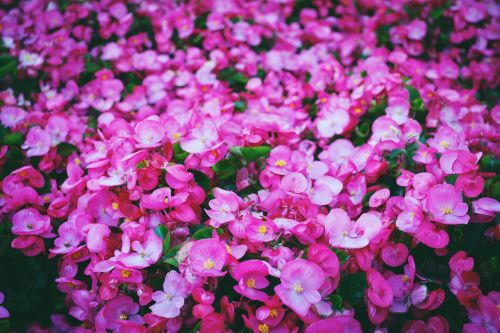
pixel 147 251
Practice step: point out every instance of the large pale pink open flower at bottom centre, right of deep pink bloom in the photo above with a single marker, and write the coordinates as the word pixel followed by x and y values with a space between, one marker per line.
pixel 300 281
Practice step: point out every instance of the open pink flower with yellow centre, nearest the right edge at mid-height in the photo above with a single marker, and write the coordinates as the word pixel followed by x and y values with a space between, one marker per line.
pixel 445 204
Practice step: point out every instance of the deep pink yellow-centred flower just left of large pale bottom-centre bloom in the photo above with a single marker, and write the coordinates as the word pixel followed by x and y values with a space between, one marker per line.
pixel 250 275
